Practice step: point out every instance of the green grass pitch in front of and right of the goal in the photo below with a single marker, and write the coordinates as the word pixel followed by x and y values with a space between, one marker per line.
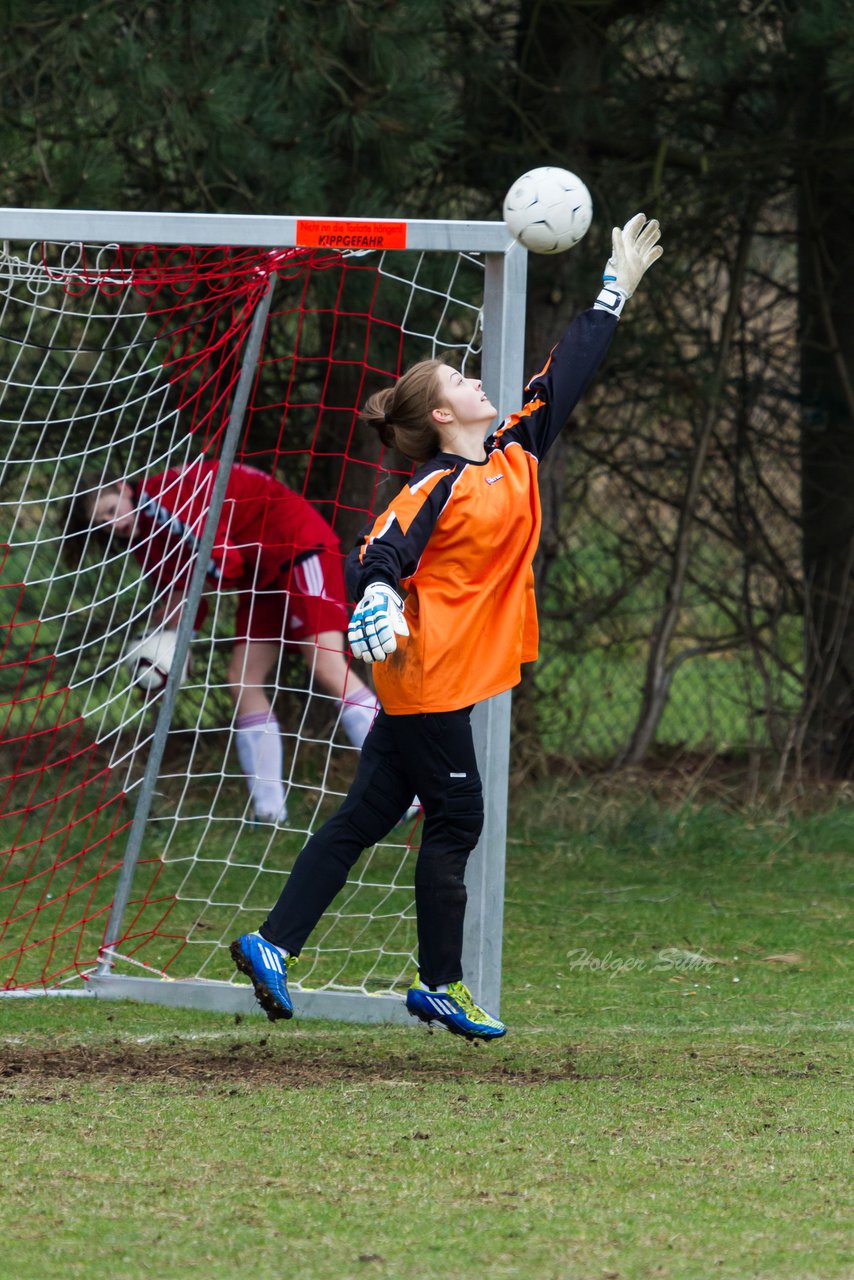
pixel 673 1099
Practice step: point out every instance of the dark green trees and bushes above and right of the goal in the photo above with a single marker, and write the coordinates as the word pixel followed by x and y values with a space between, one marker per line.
pixel 730 122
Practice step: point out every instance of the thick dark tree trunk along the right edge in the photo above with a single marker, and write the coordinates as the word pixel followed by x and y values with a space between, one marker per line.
pixel 825 171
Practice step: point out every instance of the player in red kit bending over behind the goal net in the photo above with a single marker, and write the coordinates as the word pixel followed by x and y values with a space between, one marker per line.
pixel 282 561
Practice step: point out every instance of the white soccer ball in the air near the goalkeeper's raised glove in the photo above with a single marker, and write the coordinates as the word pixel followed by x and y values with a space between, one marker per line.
pixel 549 211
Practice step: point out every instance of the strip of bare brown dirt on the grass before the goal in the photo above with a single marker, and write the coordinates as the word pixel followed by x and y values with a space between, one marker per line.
pixel 254 1064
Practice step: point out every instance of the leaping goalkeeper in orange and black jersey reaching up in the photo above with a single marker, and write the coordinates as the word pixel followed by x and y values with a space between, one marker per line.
pixel 446 616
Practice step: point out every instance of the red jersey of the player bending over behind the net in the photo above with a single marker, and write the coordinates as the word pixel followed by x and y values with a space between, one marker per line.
pixel 263 531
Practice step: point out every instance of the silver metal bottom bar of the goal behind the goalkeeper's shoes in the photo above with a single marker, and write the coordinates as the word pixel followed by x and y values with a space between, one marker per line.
pixel 226 998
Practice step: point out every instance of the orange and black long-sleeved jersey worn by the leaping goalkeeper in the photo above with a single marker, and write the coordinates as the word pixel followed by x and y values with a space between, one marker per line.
pixel 460 541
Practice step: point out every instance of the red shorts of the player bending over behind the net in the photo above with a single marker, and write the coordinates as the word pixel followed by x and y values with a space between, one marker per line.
pixel 308 601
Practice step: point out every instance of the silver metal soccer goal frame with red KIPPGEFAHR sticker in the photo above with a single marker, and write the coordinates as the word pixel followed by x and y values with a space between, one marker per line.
pixel 503 371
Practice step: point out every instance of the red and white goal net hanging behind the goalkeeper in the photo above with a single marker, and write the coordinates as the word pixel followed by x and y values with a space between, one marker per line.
pixel 134 847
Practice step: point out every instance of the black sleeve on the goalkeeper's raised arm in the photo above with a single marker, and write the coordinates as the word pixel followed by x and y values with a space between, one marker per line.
pixel 552 395
